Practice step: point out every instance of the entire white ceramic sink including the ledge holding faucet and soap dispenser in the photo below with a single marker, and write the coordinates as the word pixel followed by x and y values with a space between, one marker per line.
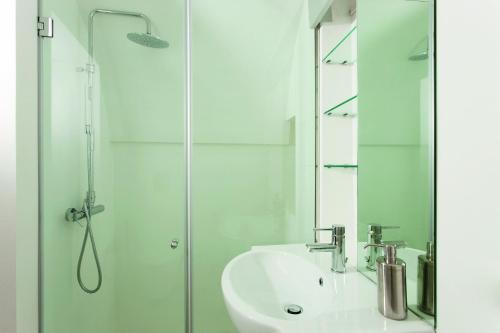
pixel 258 286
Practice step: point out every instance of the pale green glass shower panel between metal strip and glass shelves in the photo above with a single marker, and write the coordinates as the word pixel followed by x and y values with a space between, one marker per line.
pixel 253 128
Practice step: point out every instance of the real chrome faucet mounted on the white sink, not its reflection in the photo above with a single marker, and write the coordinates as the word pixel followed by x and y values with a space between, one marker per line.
pixel 336 247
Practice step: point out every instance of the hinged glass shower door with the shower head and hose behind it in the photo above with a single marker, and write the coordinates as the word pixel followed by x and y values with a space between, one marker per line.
pixel 112 157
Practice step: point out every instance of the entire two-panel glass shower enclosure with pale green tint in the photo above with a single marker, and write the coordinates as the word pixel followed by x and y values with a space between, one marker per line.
pixel 153 179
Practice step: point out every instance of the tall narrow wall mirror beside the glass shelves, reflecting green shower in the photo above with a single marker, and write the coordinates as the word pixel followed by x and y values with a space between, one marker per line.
pixel 396 135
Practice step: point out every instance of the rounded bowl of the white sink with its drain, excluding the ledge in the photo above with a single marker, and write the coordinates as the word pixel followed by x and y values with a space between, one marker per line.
pixel 272 291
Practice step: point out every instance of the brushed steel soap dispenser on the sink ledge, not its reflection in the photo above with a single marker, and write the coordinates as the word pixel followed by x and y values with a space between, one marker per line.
pixel 391 286
